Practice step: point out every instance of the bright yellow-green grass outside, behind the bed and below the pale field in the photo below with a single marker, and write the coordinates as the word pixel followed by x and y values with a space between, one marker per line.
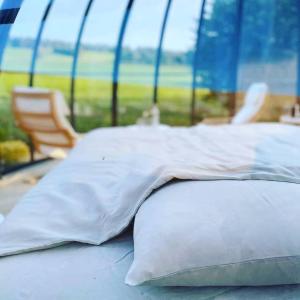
pixel 93 102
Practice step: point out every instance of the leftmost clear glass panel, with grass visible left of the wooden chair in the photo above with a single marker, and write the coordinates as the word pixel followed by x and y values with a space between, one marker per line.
pixel 16 62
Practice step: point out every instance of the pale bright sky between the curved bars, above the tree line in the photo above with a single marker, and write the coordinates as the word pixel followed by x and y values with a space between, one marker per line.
pixel 104 21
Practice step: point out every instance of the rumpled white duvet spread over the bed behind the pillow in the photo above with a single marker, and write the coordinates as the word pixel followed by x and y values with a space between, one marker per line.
pixel 94 194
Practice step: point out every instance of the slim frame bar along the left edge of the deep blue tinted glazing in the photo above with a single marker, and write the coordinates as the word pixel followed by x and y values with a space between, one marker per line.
pixel 195 60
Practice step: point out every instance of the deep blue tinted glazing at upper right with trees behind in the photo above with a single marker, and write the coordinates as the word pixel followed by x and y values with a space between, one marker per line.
pixel 256 41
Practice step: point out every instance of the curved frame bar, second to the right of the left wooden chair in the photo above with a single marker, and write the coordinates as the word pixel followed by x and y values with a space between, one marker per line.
pixel 116 67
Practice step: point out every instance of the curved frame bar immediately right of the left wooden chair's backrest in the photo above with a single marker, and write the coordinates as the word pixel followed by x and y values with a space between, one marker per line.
pixel 75 62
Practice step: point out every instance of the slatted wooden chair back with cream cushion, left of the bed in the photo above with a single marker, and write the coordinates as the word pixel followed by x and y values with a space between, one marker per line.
pixel 42 114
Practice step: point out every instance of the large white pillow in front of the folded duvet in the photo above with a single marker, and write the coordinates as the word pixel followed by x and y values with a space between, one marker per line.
pixel 218 233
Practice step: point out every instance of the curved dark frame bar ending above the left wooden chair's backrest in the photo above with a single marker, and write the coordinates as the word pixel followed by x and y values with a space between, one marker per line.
pixel 37 43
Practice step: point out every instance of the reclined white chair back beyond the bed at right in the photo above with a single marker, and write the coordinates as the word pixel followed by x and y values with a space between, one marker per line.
pixel 254 100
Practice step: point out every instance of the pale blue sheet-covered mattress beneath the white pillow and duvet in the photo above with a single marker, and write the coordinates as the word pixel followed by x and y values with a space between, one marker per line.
pixel 79 271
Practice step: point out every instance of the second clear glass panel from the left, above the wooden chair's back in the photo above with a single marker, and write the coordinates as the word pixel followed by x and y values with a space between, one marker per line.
pixel 55 56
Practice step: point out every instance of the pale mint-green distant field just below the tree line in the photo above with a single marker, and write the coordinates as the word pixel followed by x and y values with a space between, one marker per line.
pixel 97 65
